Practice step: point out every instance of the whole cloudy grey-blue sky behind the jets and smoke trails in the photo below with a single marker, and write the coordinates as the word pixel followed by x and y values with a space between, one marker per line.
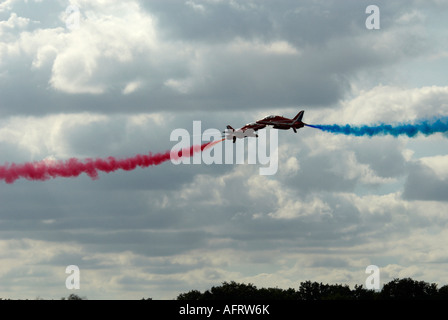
pixel 117 82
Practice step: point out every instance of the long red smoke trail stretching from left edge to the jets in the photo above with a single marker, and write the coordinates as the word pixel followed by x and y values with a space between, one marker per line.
pixel 46 169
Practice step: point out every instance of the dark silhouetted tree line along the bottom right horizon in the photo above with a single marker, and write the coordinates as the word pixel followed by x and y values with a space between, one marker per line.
pixel 397 289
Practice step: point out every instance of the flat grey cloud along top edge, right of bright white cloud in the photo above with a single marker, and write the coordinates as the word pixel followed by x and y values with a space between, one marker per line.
pixel 303 23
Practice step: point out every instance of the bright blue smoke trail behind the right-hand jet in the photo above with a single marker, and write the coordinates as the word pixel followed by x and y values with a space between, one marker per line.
pixel 425 127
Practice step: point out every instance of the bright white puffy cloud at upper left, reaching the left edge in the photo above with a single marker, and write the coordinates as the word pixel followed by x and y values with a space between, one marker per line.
pixel 109 38
